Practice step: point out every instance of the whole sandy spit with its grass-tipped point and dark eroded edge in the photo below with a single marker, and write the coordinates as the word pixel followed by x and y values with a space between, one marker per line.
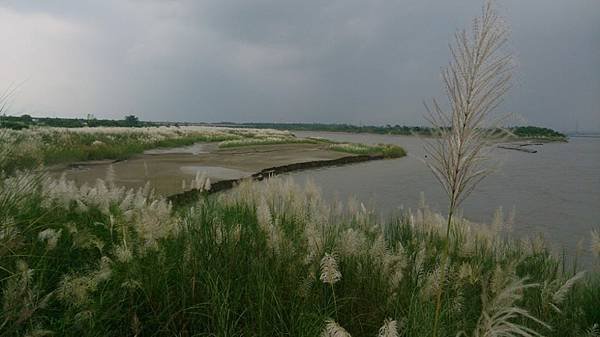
pixel 178 170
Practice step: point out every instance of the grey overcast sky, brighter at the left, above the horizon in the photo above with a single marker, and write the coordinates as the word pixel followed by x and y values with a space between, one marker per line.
pixel 352 61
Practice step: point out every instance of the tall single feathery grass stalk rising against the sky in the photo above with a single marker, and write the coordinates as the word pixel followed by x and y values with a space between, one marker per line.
pixel 475 82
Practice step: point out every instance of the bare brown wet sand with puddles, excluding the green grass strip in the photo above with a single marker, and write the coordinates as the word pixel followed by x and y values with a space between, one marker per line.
pixel 166 169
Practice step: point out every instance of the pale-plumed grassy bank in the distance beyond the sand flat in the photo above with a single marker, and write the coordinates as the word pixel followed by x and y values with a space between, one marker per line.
pixel 32 147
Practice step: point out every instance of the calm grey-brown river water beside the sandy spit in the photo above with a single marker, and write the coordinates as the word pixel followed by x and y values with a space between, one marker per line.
pixel 555 192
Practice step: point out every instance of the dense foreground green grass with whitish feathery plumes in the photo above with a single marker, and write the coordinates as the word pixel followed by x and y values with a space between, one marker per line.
pixel 267 259
